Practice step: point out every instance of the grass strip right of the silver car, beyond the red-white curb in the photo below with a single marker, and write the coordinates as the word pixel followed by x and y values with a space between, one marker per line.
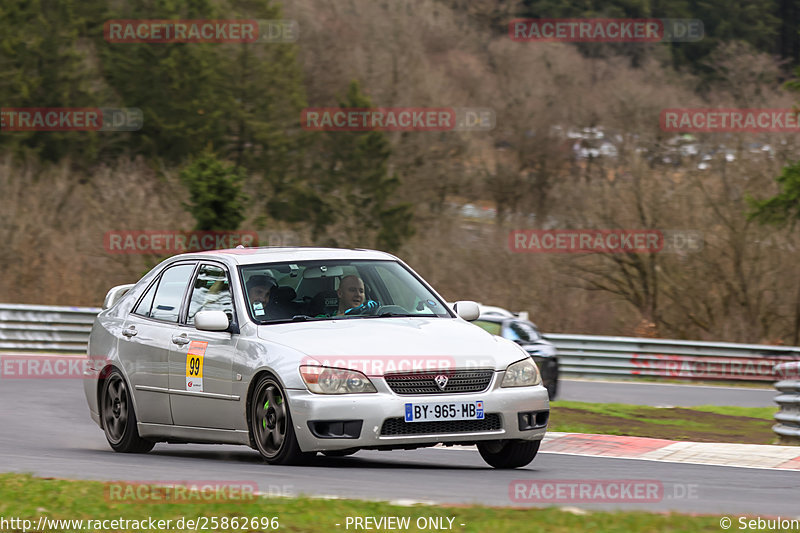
pixel 747 425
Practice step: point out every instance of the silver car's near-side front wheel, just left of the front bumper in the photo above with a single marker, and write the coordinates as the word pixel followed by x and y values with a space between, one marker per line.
pixel 271 424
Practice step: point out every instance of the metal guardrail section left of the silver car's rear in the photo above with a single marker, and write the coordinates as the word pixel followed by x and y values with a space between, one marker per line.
pixel 45 328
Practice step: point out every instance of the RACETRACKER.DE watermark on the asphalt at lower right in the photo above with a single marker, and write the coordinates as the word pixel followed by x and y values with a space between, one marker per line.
pixel 598 491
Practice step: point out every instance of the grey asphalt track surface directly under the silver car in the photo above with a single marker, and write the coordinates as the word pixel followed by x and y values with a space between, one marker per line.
pixel 46 430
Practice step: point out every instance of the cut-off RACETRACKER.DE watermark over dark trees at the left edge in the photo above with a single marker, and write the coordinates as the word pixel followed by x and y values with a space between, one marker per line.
pixel 70 119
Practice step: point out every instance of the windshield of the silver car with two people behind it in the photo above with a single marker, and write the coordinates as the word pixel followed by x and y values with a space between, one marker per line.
pixel 323 290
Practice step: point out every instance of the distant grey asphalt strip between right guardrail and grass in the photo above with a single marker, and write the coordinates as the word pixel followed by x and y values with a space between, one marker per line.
pixel 664 394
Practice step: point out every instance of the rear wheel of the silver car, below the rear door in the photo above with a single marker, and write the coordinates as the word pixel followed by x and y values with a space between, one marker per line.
pixel 119 417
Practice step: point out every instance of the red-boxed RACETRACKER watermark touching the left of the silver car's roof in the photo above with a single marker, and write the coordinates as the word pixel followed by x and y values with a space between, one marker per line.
pixel 175 242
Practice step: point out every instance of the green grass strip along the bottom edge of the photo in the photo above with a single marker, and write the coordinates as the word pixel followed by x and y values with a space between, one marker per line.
pixel 27 497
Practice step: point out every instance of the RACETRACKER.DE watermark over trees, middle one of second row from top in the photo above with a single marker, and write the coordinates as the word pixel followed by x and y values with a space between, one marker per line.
pixel 397 119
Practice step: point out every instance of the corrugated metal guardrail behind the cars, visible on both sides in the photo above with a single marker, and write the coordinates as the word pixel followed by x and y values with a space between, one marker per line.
pixel 66 329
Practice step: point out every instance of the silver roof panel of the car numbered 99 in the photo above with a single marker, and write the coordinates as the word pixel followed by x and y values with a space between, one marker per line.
pixel 274 254
